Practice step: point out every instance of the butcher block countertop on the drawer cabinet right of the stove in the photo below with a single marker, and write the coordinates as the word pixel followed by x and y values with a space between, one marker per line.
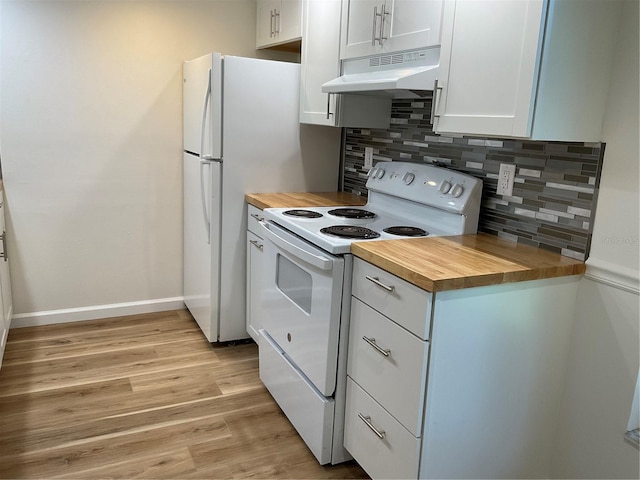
pixel 450 263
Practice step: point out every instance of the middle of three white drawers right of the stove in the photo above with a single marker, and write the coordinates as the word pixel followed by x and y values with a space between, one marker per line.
pixel 384 377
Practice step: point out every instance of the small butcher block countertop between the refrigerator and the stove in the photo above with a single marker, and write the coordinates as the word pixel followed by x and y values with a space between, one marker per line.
pixel 302 199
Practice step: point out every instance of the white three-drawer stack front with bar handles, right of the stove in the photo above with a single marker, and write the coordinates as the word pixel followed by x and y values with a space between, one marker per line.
pixel 387 372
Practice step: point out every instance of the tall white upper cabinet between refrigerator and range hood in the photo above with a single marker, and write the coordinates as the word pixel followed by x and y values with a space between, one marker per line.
pixel 320 62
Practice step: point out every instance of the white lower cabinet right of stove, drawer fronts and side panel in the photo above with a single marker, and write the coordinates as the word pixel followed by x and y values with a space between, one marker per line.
pixel 456 384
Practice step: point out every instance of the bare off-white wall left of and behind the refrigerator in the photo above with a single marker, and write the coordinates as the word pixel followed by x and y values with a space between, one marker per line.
pixel 91 129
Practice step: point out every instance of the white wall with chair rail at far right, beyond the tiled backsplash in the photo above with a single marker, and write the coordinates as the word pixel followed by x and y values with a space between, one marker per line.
pixel 604 356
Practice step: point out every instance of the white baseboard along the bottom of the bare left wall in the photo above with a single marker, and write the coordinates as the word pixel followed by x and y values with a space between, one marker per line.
pixel 95 312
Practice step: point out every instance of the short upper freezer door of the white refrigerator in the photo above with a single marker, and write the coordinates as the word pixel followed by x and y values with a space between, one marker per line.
pixel 202 106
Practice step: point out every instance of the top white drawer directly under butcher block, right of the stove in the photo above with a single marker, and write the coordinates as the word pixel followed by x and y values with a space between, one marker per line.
pixel 401 301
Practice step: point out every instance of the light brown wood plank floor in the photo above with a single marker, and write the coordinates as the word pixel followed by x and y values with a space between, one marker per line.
pixel 144 396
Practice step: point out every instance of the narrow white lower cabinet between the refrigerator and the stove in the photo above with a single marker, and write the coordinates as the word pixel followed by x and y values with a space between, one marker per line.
pixel 254 271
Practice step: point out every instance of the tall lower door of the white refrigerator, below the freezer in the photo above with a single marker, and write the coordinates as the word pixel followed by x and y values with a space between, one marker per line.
pixel 201 230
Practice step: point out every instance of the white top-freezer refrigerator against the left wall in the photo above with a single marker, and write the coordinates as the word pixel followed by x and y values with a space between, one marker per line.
pixel 241 135
